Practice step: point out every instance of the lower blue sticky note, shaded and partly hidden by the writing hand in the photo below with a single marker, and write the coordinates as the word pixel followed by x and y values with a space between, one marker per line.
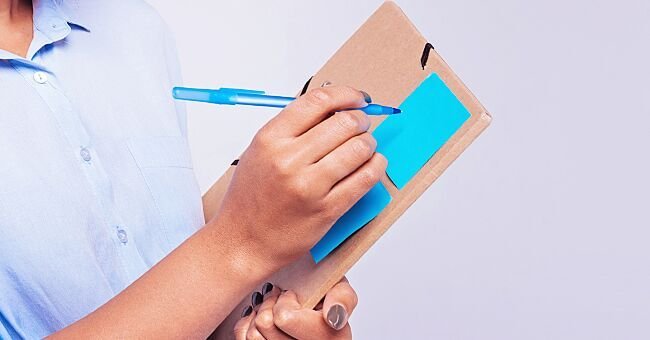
pixel 368 207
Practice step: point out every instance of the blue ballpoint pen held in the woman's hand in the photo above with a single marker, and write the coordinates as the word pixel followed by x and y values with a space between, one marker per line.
pixel 228 96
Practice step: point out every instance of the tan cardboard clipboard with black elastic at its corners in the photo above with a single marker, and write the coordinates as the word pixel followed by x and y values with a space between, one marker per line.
pixel 388 58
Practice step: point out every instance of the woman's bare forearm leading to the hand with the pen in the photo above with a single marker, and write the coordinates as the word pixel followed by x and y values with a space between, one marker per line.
pixel 186 295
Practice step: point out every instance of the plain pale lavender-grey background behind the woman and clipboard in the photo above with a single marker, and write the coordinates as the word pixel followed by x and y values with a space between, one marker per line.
pixel 540 230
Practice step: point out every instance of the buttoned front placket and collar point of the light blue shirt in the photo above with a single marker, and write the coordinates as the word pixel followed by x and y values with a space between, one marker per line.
pixel 45 83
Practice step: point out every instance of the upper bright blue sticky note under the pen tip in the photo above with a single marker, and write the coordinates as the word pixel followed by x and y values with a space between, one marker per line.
pixel 430 116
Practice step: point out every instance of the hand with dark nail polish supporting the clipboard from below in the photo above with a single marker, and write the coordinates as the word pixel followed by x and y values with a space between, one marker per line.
pixel 278 315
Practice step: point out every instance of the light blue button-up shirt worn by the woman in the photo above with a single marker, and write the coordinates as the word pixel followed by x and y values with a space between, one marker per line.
pixel 96 180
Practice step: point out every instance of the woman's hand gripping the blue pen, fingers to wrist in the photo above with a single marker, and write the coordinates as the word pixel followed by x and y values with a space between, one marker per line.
pixel 303 170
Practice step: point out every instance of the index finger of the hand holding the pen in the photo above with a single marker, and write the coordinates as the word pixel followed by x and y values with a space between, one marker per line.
pixel 312 108
